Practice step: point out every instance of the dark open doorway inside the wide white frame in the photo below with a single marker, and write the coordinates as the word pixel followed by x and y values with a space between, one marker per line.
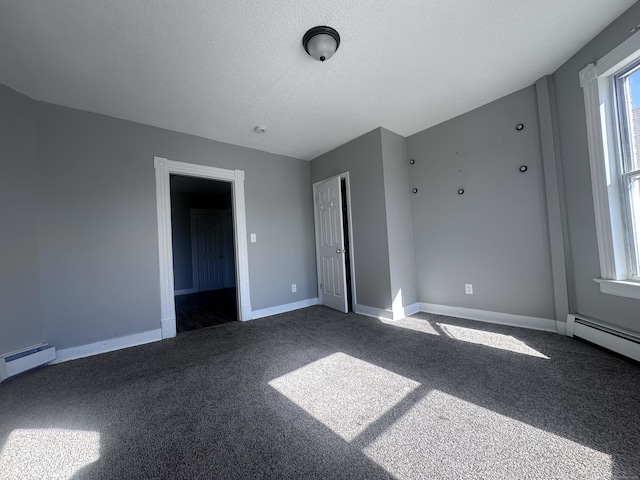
pixel 204 263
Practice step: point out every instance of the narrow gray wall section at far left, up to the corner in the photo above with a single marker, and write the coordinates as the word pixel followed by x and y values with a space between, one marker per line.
pixel 20 323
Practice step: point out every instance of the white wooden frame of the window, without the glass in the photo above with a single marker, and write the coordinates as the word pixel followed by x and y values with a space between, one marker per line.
pixel 598 83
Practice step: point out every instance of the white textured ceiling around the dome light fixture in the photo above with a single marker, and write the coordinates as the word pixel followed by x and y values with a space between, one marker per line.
pixel 218 68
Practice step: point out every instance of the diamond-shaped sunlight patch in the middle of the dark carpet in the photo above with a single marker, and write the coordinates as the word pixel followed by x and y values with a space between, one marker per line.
pixel 344 393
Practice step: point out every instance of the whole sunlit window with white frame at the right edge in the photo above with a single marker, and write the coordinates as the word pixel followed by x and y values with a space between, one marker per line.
pixel 612 100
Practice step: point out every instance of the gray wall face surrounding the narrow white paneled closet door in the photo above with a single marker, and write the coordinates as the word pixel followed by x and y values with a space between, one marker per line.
pixel 362 158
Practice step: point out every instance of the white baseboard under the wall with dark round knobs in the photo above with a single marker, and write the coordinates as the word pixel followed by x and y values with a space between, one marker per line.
pixel 533 323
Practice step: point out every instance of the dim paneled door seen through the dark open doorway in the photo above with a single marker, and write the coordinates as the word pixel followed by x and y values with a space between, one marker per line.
pixel 210 251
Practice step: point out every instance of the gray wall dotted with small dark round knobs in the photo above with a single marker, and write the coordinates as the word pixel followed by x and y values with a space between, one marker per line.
pixel 495 236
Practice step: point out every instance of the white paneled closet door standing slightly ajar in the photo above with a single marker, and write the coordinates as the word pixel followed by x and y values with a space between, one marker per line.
pixel 330 244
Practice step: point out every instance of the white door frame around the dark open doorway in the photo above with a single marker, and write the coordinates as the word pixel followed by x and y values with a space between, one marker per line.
pixel 164 168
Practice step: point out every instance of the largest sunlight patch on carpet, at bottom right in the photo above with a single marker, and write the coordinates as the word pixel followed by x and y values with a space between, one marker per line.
pixel 442 436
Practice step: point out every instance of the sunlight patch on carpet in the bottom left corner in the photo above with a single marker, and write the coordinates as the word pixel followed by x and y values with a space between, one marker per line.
pixel 48 453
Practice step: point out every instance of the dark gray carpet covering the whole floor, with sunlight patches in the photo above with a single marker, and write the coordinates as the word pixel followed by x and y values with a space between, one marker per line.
pixel 319 394
